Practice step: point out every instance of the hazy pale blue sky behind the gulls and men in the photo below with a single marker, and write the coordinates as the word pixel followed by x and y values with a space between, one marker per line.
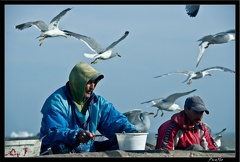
pixel 162 38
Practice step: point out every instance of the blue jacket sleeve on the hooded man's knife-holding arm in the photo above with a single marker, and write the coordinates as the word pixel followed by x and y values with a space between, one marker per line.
pixel 57 123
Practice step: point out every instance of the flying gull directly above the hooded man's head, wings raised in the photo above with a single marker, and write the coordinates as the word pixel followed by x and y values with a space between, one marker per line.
pixel 100 53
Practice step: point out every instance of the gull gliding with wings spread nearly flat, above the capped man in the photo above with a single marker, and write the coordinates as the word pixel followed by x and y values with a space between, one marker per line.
pixel 196 75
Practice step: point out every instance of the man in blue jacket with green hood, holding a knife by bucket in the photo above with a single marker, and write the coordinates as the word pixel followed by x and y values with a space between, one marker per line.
pixel 74 113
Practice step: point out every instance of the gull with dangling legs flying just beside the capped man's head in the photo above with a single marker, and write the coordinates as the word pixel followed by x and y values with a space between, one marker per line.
pixel 167 104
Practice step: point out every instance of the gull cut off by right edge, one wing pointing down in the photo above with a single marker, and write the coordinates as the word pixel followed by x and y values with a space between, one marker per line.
pixel 219 38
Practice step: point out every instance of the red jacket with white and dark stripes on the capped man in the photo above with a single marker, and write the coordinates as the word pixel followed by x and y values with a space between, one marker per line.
pixel 176 133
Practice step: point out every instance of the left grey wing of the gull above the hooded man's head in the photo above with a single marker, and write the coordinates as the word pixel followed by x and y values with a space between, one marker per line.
pixel 90 42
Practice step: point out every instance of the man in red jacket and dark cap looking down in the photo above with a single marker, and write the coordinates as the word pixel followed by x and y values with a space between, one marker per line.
pixel 185 131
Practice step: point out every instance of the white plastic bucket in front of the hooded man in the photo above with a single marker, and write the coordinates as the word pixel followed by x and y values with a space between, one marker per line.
pixel 132 141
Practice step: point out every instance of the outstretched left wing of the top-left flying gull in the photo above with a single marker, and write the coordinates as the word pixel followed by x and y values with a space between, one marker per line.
pixel 42 26
